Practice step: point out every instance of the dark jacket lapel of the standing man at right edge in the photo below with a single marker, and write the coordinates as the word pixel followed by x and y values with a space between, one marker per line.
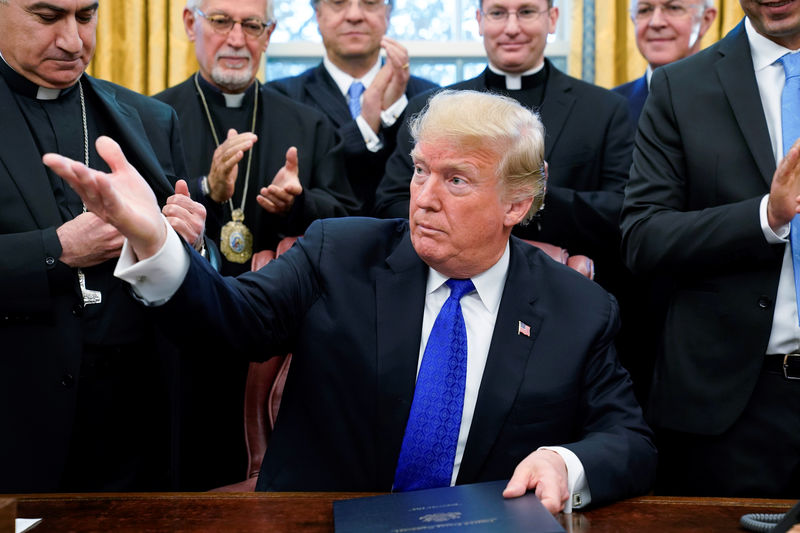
pixel 741 89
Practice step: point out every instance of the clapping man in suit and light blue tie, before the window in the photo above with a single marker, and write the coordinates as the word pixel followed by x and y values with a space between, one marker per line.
pixel 353 33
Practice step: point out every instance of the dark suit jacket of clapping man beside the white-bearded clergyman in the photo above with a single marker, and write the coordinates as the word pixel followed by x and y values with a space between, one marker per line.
pixel 315 87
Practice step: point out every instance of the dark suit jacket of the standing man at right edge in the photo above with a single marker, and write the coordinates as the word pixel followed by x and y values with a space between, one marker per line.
pixel 701 164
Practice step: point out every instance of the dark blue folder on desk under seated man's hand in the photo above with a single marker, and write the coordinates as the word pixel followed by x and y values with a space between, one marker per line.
pixel 473 508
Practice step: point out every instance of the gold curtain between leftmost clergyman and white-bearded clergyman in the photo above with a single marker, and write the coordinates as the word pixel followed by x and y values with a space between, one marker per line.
pixel 141 44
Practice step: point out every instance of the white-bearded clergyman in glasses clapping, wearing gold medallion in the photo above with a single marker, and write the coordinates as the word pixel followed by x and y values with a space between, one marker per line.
pixel 293 175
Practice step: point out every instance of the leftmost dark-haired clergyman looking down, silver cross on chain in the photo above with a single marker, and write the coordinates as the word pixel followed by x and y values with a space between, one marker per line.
pixel 85 380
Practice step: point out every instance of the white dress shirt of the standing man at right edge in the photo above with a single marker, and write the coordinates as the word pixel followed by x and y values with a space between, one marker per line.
pixel 785 334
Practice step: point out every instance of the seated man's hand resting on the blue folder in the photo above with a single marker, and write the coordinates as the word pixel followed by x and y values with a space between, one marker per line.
pixel 545 472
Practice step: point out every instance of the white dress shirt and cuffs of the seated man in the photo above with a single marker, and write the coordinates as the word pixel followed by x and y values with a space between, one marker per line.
pixel 157 278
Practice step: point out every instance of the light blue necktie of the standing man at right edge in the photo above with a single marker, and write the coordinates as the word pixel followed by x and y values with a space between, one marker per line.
pixel 790 125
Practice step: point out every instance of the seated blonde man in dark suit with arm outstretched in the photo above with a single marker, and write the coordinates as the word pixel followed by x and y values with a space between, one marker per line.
pixel 542 398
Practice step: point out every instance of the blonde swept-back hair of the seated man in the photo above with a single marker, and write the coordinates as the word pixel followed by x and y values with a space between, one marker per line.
pixel 480 121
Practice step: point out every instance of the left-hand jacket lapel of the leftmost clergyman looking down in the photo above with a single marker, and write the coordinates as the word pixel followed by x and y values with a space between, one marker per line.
pixel 20 155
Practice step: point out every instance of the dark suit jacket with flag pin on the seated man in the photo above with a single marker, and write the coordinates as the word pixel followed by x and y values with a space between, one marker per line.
pixel 347 301
